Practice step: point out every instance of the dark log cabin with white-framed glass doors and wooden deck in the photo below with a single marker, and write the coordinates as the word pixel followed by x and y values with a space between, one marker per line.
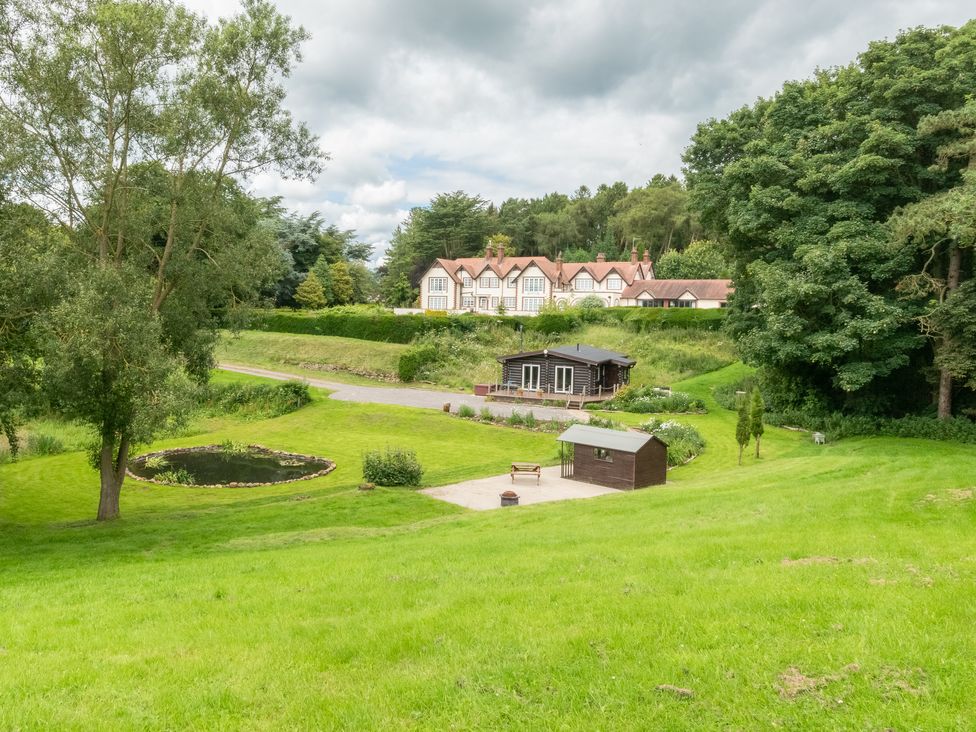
pixel 579 369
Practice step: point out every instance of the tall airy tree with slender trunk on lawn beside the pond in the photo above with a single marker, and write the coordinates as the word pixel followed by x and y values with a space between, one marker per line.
pixel 132 123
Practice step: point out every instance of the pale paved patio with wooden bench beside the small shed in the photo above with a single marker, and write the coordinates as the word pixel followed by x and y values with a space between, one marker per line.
pixel 483 494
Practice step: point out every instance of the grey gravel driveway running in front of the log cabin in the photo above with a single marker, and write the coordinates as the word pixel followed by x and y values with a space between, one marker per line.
pixel 424 398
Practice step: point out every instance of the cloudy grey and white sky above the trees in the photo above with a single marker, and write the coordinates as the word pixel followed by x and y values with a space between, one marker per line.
pixel 522 97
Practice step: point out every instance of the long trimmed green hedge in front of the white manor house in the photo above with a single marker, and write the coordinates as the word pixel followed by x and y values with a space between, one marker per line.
pixel 390 328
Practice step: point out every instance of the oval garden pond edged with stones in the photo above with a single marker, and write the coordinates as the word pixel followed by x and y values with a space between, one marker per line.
pixel 230 465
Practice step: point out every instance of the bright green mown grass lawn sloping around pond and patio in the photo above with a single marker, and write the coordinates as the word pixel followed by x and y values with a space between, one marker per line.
pixel 814 588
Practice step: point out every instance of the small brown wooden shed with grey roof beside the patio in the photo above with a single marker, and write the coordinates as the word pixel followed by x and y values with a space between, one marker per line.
pixel 613 458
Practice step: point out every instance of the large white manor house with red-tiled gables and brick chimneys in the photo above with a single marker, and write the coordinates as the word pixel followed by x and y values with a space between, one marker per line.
pixel 523 285
